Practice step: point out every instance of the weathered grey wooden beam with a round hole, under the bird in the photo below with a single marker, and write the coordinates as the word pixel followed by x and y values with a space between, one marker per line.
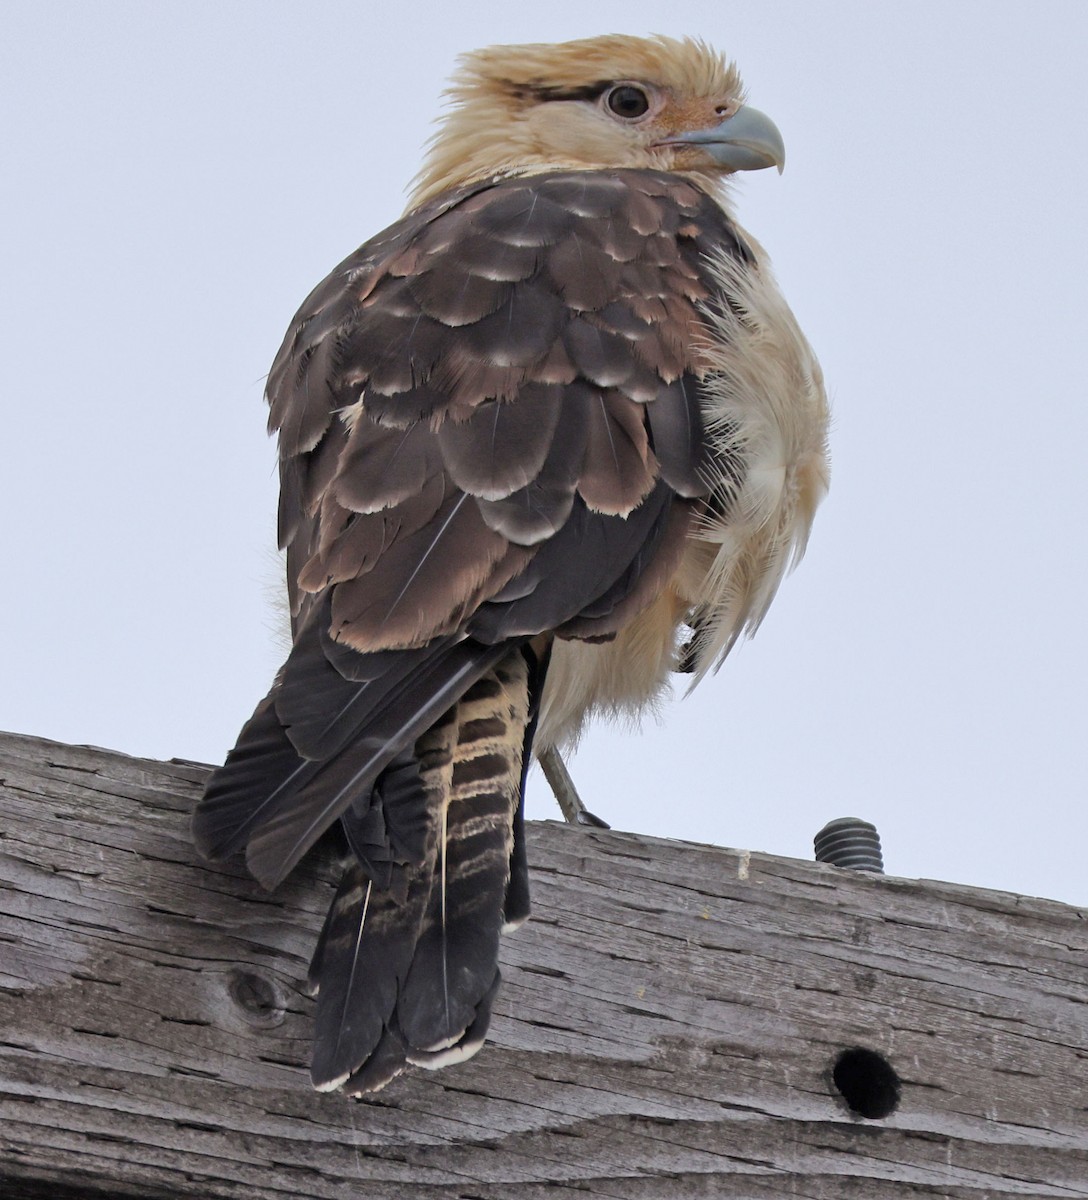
pixel 668 1024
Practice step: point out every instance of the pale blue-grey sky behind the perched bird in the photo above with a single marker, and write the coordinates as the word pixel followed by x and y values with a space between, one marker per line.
pixel 177 177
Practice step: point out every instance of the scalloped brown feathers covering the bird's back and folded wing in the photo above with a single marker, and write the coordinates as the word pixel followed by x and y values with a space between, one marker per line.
pixel 503 364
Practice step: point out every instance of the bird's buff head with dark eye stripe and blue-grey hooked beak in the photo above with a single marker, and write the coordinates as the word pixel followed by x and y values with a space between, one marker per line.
pixel 602 103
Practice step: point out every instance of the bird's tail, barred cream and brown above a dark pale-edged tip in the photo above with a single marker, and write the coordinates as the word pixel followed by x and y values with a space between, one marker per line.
pixel 407 965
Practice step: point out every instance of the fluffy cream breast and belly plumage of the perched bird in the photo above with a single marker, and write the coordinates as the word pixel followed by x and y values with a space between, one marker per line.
pixel 765 464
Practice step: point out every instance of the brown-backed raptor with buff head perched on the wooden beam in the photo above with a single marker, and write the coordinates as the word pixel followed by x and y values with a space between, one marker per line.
pixel 549 440
